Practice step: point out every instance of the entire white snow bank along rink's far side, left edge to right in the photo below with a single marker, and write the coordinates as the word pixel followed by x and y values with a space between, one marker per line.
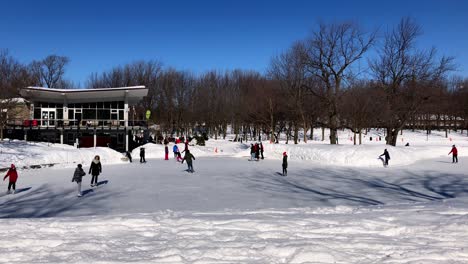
pixel 346 154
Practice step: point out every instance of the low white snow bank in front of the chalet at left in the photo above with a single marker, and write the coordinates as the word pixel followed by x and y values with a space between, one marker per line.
pixel 23 153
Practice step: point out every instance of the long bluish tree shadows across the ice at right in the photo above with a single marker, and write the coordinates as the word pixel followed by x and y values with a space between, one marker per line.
pixel 352 186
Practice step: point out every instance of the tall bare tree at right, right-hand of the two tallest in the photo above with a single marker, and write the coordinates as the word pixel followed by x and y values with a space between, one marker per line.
pixel 403 71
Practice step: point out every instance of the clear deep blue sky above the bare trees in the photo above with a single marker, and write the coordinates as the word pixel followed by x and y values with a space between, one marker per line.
pixel 202 35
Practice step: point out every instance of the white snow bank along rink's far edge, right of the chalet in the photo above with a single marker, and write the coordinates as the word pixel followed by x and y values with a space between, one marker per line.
pixel 344 154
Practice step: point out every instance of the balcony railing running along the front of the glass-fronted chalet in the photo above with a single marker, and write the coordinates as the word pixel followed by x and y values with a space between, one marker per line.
pixel 74 123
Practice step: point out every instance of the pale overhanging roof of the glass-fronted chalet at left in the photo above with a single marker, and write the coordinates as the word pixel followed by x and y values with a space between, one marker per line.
pixel 132 93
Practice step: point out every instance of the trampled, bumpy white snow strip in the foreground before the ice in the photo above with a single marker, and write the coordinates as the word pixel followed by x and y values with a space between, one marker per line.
pixel 421 233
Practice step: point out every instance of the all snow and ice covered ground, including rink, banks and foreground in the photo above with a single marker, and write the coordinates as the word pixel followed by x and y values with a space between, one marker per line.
pixel 337 205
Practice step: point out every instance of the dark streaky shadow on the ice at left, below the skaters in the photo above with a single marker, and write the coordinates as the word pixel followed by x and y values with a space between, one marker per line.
pixel 44 202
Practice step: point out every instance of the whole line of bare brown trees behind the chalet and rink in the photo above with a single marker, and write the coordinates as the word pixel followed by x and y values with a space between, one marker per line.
pixel 340 76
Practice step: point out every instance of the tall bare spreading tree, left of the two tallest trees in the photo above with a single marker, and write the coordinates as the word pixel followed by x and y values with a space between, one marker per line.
pixel 328 56
